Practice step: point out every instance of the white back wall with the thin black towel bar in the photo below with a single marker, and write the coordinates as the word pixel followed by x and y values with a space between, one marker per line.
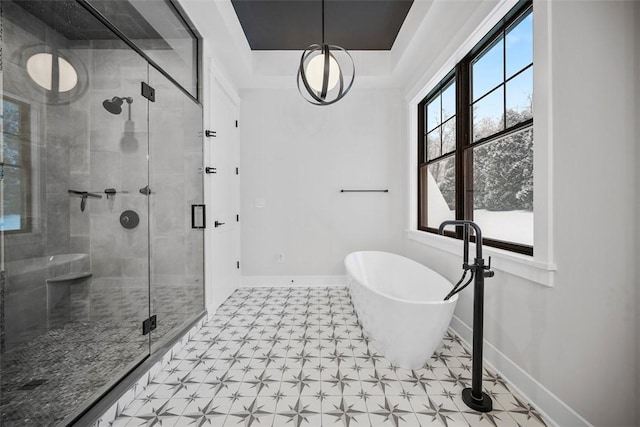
pixel 297 157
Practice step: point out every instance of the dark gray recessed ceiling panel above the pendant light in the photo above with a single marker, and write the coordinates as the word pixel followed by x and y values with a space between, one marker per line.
pixel 296 24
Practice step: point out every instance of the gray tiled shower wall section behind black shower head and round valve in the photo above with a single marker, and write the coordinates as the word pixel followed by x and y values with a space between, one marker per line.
pixel 106 156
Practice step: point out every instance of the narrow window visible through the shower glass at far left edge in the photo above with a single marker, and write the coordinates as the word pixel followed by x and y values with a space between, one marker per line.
pixel 16 167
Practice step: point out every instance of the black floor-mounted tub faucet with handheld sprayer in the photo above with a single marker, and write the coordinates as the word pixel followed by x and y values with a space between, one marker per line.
pixel 473 397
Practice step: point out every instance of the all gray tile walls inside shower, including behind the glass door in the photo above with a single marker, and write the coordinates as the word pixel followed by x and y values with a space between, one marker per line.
pixel 83 147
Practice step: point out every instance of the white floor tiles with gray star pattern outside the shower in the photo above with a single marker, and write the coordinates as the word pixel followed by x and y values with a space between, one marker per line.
pixel 298 357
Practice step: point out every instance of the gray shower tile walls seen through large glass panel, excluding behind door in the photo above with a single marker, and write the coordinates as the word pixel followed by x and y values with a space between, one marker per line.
pixel 81 146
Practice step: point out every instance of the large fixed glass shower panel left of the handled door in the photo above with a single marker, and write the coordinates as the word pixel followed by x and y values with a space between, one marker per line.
pixel 75 225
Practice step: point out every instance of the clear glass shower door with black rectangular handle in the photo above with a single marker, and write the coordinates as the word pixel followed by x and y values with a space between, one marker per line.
pixel 175 180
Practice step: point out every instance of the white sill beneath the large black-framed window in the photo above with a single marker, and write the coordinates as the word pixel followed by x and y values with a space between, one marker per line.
pixel 518 265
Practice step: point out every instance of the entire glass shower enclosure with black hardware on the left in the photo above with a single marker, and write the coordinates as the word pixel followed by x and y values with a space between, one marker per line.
pixel 101 246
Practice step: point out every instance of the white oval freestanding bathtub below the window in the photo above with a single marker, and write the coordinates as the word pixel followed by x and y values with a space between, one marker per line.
pixel 400 305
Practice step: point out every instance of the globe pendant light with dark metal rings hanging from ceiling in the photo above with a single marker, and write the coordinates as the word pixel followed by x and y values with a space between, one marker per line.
pixel 322 72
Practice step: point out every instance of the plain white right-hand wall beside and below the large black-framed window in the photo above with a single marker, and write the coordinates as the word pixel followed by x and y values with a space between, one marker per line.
pixel 580 338
